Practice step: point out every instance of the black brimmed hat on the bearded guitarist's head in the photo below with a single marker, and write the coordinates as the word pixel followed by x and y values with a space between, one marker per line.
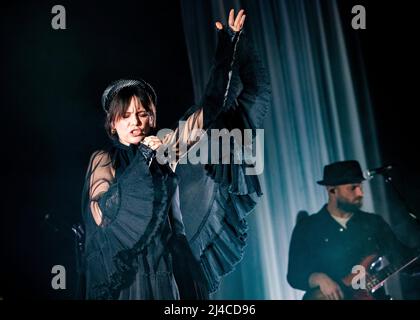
pixel 342 172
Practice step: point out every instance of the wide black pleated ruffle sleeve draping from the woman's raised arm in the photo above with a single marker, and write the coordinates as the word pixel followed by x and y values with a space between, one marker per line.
pixel 216 198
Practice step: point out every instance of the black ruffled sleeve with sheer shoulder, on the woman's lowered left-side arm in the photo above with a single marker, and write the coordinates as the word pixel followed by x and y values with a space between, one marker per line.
pixel 129 219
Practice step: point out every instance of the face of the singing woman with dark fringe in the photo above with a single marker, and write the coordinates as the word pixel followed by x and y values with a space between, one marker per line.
pixel 134 125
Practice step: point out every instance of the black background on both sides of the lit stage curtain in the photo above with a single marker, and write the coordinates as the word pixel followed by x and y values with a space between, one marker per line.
pixel 52 80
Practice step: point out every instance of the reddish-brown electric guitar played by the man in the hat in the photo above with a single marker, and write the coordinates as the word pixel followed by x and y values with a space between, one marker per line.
pixel 374 281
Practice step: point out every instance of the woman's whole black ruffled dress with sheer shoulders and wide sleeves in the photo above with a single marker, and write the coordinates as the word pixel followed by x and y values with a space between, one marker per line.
pixel 169 236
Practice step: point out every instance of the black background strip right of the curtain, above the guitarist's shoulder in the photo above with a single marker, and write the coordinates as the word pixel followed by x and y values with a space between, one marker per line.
pixel 387 51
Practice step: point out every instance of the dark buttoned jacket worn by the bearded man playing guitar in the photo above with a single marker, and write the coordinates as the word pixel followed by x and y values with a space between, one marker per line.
pixel 320 244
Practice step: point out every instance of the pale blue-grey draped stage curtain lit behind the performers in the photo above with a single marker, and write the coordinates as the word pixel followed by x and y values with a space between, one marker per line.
pixel 320 113
